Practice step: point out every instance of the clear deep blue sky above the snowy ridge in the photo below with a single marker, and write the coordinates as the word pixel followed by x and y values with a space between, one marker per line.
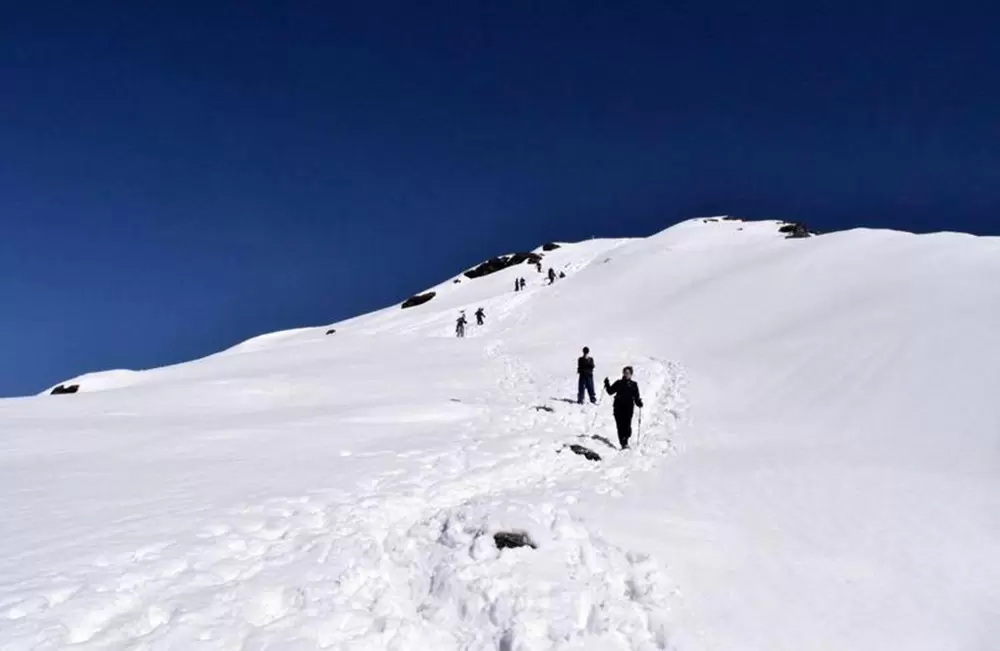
pixel 174 179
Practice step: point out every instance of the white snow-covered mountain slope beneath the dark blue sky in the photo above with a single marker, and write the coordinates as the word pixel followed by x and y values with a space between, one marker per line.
pixel 818 465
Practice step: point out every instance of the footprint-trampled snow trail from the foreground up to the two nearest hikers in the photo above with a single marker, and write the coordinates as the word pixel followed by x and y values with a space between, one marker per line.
pixel 407 562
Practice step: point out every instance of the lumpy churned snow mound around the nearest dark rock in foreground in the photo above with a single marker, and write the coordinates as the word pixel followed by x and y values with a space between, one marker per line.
pixel 574 590
